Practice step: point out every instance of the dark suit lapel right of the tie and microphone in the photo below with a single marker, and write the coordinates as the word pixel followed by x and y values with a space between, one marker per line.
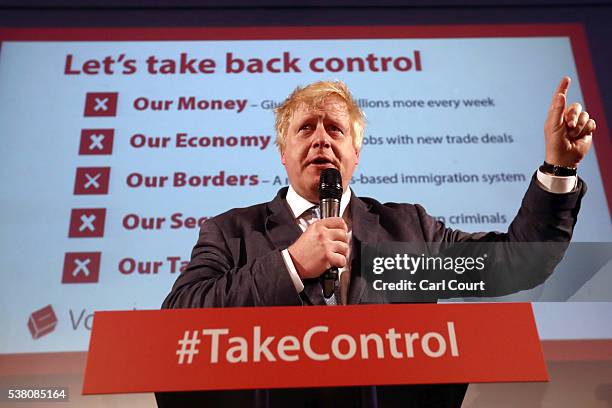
pixel 365 230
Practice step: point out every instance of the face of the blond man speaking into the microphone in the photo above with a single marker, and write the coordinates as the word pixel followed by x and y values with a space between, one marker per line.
pixel 319 138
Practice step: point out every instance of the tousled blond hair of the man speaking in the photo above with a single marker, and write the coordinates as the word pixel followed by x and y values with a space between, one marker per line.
pixel 314 95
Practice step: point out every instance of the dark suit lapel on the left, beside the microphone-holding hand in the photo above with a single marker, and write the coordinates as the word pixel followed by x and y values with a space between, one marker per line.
pixel 282 231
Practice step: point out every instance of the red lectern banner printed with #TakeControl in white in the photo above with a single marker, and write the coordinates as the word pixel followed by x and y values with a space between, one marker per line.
pixel 282 347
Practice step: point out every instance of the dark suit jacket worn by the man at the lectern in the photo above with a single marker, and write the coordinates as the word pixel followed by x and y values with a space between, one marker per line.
pixel 237 261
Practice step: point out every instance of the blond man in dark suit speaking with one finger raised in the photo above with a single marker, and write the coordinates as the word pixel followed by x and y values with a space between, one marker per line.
pixel 273 253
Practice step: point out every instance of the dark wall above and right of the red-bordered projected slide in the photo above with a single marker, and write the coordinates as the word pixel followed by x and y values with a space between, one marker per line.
pixel 595 15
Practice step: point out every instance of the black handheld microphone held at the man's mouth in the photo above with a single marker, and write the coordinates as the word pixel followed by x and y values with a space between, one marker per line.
pixel 330 192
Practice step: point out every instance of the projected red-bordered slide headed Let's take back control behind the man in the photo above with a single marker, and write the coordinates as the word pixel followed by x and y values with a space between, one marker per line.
pixel 116 146
